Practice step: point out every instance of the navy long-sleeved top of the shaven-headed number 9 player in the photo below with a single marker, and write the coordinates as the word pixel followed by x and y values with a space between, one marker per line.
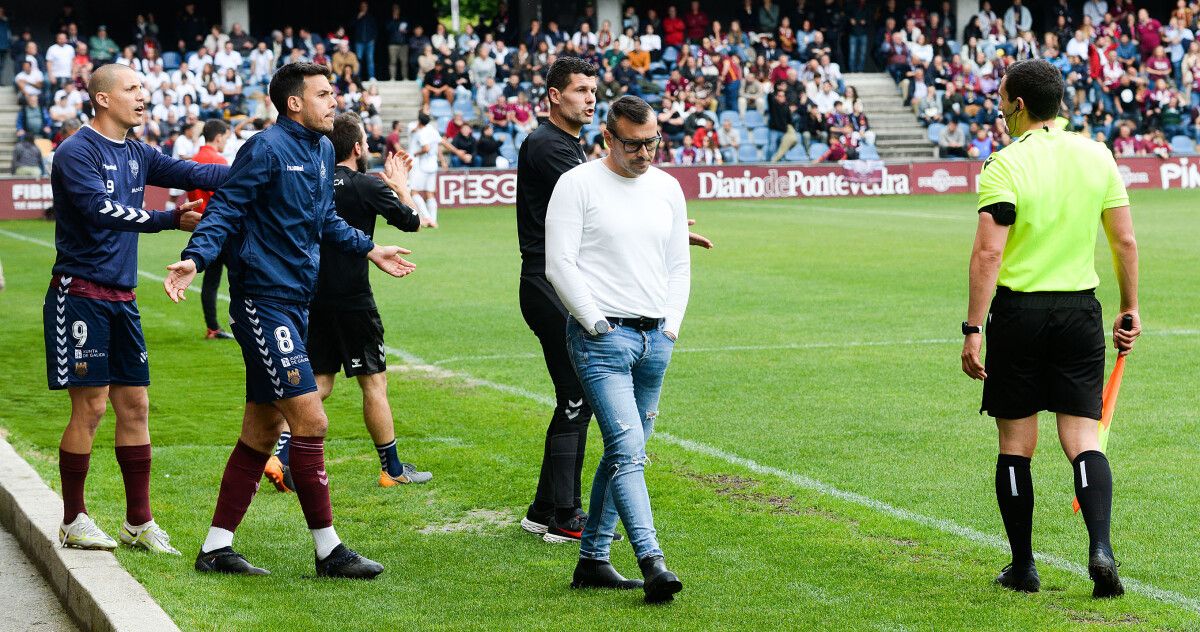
pixel 99 186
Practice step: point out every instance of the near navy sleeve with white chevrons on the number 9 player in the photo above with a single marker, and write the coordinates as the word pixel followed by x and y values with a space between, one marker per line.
pixel 86 190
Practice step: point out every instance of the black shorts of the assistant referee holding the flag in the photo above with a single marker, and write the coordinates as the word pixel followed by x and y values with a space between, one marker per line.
pixel 1046 352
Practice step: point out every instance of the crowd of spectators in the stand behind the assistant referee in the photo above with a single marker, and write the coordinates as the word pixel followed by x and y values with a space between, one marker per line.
pixel 1133 80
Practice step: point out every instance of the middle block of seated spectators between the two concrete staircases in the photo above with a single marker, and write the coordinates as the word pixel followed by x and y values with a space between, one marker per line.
pixel 759 83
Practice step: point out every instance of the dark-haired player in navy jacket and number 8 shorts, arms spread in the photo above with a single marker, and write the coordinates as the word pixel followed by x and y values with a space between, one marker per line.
pixel 272 219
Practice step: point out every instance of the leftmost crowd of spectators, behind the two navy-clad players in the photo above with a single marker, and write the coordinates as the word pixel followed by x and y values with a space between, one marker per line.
pixel 213 74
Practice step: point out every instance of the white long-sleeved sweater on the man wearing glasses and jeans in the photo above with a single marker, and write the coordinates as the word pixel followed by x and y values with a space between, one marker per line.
pixel 619 246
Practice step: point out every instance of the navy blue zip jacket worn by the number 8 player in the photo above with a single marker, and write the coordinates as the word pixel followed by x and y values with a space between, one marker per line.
pixel 273 215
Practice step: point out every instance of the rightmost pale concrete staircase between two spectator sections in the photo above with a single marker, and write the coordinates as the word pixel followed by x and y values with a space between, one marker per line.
pixel 898 135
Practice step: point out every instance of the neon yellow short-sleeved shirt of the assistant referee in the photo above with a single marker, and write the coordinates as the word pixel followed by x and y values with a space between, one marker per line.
pixel 1060 184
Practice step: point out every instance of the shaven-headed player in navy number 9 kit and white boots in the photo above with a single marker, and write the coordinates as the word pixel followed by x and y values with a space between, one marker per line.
pixel 94 344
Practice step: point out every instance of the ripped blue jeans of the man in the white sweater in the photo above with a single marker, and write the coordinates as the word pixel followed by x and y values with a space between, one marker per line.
pixel 622 375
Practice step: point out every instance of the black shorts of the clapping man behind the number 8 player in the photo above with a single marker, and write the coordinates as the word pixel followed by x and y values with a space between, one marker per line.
pixel 346 339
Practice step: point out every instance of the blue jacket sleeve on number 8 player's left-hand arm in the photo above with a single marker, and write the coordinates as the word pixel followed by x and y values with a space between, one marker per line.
pixel 229 207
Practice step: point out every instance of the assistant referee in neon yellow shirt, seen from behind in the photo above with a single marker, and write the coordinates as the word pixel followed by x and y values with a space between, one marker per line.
pixel 1041 203
